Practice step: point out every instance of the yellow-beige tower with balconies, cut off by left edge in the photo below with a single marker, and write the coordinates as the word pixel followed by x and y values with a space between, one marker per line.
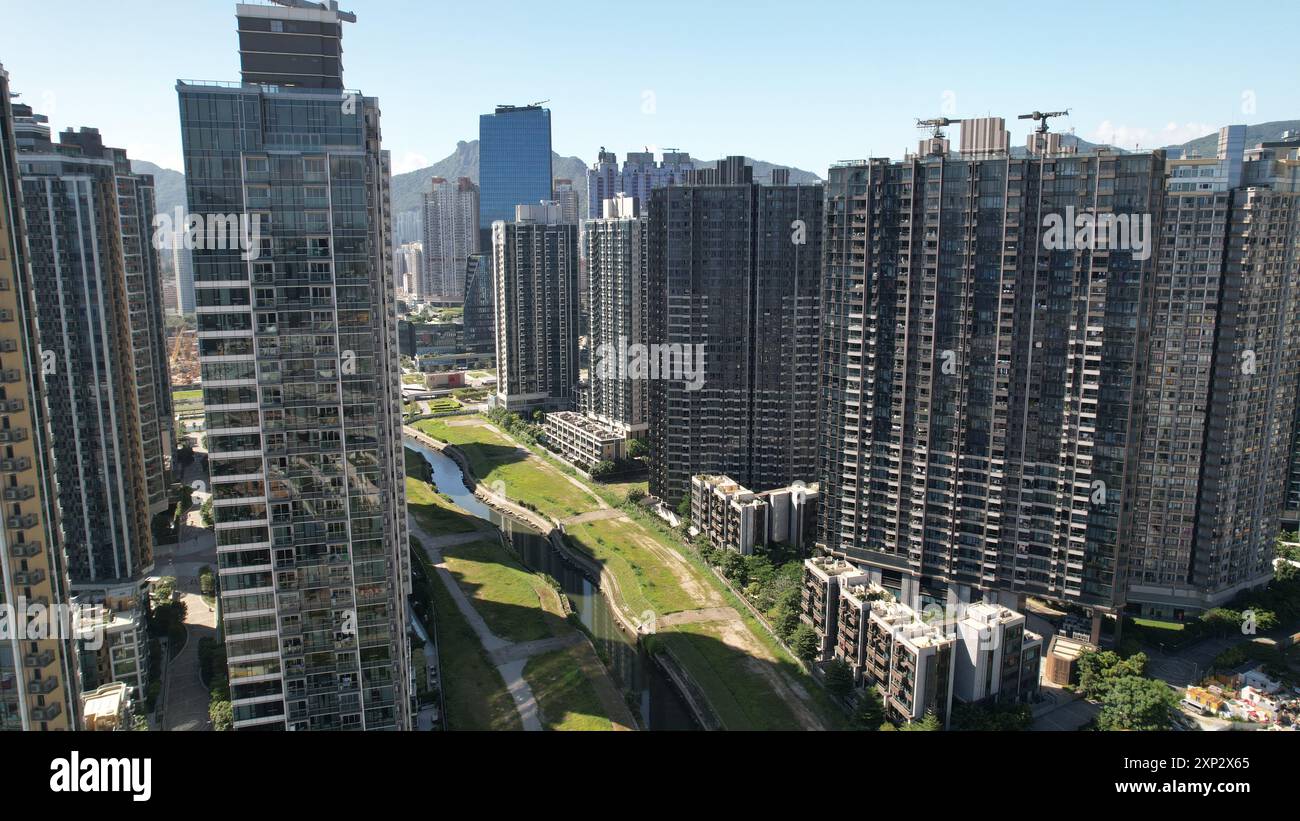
pixel 38 677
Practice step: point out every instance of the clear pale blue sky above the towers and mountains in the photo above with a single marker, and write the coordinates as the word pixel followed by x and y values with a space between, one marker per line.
pixel 803 84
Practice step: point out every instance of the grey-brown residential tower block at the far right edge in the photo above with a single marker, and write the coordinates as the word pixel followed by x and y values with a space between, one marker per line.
pixel 1221 397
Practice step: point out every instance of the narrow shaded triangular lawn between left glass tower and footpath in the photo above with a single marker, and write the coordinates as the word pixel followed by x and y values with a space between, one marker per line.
pixel 474 690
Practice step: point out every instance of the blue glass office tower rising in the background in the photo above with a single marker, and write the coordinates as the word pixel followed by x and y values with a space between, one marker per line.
pixel 514 162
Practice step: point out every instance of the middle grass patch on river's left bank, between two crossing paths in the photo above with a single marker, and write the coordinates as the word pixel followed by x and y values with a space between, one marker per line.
pixel 517 605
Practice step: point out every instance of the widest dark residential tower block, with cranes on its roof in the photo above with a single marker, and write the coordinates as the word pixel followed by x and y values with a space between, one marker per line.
pixel 980 376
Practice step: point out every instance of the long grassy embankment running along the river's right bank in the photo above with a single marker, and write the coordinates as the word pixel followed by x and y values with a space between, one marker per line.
pixel 739 666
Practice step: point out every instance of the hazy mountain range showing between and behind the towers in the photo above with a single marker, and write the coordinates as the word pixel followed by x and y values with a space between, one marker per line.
pixel 170 185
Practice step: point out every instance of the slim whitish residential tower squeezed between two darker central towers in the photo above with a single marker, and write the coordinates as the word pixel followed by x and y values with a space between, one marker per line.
pixel 617 275
